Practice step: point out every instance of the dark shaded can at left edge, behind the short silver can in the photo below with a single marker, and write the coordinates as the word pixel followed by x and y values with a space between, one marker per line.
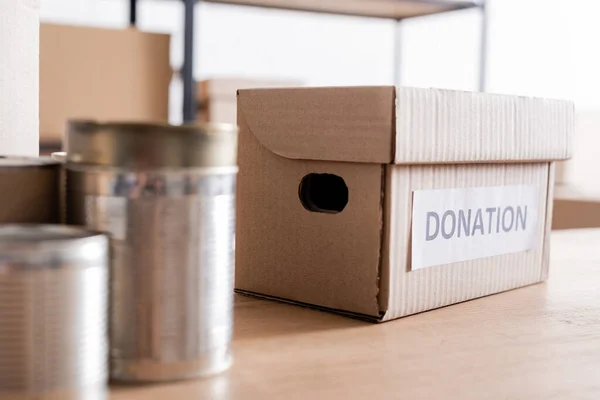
pixel 30 190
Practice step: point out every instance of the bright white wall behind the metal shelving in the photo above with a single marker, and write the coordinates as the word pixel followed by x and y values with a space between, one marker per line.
pixel 537 47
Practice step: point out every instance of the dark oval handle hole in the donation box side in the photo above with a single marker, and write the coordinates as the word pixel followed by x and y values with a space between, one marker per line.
pixel 324 193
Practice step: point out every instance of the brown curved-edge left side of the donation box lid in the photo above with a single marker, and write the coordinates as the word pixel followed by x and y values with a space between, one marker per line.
pixel 354 124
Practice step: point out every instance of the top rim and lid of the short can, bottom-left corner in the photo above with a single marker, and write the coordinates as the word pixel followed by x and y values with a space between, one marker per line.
pixel 43 246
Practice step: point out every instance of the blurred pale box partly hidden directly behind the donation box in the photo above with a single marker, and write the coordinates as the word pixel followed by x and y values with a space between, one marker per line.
pixel 217 97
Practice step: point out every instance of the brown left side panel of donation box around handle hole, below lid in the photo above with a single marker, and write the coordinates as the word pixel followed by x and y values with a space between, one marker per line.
pixel 284 250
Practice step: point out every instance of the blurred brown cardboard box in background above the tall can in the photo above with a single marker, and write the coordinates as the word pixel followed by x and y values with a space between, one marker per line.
pixel 103 74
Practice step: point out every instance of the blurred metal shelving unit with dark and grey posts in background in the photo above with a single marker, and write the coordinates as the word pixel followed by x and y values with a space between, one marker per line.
pixel 397 10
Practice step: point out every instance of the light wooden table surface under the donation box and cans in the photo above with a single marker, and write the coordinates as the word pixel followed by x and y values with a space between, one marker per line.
pixel 538 342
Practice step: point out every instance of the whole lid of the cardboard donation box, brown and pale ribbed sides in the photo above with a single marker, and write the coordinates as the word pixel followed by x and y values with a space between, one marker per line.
pixel 407 125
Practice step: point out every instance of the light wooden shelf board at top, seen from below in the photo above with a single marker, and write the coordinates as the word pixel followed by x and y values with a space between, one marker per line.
pixel 393 9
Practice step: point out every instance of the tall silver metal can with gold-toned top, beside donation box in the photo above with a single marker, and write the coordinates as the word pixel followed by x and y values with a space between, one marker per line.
pixel 167 196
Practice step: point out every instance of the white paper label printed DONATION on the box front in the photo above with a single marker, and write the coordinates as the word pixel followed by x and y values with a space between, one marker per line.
pixel 453 225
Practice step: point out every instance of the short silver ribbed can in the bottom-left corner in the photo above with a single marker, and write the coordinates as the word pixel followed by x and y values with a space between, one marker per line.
pixel 53 313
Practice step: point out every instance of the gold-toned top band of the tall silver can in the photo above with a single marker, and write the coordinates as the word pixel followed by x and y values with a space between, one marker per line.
pixel 145 145
